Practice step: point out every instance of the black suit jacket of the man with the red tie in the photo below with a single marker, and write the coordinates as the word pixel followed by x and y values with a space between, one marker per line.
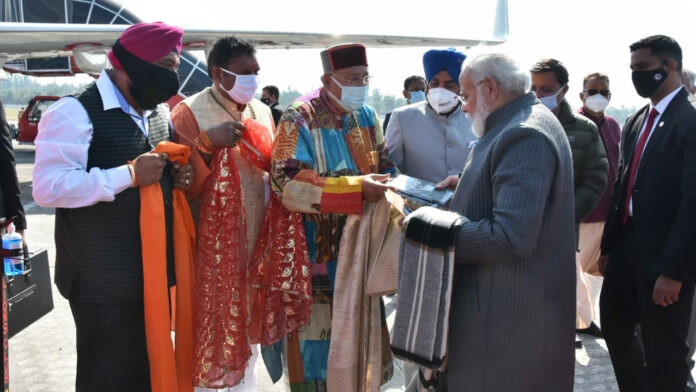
pixel 663 240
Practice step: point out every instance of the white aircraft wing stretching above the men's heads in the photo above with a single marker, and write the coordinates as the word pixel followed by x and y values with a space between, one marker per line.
pixel 41 40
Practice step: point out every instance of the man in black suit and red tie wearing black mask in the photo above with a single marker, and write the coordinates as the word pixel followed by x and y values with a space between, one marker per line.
pixel 649 243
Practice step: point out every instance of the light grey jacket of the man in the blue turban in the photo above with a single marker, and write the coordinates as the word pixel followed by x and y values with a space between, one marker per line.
pixel 428 145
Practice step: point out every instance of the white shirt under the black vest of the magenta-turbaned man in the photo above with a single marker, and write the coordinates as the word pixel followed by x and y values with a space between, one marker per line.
pixel 61 178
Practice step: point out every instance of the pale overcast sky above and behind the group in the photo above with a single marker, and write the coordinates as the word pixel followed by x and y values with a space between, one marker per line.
pixel 587 35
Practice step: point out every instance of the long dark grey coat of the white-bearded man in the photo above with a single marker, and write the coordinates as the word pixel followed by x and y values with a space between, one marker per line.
pixel 512 325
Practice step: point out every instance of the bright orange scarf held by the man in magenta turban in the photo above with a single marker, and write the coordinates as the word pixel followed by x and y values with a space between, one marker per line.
pixel 170 370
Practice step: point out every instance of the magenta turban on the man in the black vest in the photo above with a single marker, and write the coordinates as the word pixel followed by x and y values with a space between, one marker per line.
pixel 149 41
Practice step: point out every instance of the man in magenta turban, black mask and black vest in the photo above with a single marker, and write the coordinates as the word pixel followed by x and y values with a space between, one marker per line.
pixel 93 151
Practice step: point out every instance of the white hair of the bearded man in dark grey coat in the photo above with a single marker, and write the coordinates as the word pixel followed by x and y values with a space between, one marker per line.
pixel 501 68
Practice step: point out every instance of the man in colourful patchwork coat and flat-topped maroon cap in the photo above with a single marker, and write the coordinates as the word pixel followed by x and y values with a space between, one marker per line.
pixel 327 153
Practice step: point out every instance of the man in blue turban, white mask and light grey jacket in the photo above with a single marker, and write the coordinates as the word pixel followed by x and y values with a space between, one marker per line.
pixel 430 139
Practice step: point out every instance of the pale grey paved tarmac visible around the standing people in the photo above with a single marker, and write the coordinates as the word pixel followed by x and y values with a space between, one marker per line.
pixel 42 357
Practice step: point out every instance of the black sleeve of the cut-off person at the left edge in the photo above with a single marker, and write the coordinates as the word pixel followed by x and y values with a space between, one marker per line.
pixel 10 195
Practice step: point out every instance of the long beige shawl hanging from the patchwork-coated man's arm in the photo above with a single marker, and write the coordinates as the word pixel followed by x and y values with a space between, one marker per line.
pixel 359 359
